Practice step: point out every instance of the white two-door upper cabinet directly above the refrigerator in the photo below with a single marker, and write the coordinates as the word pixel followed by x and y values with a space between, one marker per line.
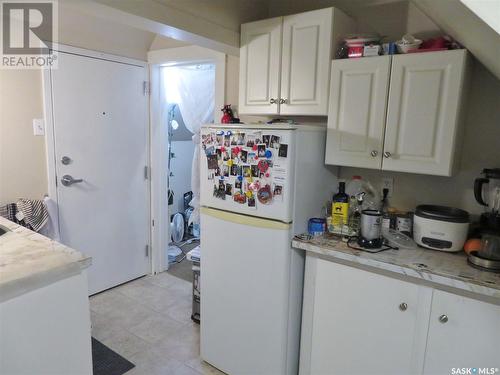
pixel 285 62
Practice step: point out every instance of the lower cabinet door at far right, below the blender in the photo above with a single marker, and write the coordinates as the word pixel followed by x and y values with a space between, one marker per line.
pixel 469 336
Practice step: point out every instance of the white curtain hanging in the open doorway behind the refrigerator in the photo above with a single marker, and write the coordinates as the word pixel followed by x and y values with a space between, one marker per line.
pixel 192 88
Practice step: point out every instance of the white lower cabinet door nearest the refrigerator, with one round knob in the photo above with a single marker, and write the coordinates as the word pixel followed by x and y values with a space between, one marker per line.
pixel 358 325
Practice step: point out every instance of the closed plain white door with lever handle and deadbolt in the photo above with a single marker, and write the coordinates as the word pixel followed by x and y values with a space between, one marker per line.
pixel 101 126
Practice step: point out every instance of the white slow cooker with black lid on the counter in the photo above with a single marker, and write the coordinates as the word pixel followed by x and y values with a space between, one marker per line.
pixel 440 227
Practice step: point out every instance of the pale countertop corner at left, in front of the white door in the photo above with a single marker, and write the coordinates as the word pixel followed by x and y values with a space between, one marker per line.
pixel 29 261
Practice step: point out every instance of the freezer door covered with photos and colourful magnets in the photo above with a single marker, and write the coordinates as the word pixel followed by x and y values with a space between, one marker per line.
pixel 248 171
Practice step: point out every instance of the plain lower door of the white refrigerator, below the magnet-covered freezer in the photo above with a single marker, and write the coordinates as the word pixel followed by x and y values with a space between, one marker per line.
pixel 245 284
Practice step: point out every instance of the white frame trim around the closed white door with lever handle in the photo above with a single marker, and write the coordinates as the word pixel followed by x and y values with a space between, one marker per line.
pixel 48 110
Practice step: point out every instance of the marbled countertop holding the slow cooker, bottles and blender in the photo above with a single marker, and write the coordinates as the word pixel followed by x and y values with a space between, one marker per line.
pixel 437 268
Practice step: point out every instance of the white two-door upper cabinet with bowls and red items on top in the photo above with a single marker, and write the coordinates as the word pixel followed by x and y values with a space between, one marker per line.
pixel 422 126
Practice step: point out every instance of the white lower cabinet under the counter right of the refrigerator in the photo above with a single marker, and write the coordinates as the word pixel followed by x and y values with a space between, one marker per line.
pixel 360 322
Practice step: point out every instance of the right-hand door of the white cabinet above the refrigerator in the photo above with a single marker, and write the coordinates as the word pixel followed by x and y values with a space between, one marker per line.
pixel 307 40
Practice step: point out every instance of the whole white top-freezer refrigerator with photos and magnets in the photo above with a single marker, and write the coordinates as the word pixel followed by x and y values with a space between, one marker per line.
pixel 259 184
